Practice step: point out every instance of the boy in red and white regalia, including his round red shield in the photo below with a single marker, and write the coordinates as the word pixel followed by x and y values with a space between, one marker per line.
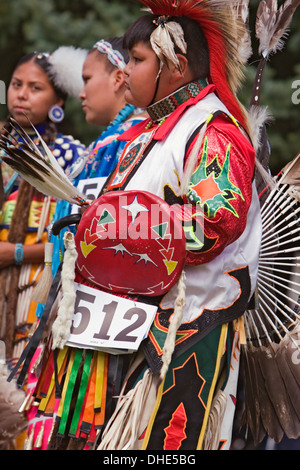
pixel 194 154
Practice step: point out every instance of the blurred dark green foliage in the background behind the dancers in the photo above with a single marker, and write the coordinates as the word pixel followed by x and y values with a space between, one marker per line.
pixel 44 25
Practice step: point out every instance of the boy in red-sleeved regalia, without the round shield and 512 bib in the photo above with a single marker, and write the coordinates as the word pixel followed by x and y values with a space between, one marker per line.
pixel 193 150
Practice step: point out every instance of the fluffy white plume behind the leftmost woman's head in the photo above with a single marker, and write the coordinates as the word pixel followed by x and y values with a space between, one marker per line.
pixel 66 69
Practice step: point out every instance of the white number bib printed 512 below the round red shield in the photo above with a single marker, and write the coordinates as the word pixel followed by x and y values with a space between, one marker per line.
pixel 103 321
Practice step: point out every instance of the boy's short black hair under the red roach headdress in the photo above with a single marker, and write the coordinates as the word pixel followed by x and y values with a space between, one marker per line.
pixel 197 47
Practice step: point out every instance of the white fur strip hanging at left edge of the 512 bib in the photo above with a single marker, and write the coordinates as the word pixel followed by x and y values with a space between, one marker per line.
pixel 62 324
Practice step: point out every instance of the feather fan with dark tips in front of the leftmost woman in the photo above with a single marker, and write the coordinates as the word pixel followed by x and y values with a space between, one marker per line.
pixel 37 165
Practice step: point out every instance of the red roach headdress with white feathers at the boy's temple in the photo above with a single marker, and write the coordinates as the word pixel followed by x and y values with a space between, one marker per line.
pixel 216 19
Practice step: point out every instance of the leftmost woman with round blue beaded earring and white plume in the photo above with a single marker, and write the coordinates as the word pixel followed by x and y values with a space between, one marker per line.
pixel 37 92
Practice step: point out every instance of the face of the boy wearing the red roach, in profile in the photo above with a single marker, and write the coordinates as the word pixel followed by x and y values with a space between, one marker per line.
pixel 141 74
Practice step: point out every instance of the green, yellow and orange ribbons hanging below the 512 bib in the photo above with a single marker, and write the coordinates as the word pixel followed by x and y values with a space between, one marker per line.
pixel 82 376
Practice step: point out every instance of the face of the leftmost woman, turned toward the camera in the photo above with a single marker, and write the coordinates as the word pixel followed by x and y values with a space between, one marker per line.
pixel 30 93
